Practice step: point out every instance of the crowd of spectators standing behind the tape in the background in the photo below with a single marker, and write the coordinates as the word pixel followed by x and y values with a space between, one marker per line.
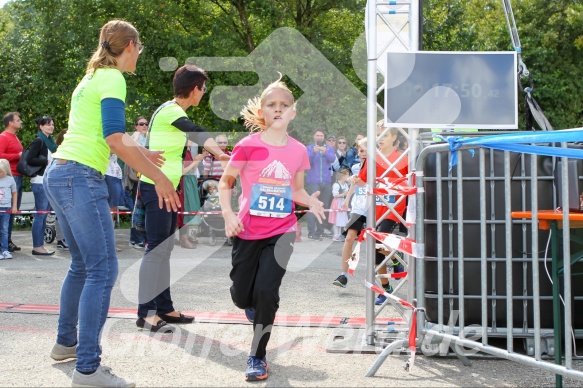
pixel 334 162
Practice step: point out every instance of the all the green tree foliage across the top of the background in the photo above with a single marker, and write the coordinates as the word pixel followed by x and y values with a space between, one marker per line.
pixel 45 45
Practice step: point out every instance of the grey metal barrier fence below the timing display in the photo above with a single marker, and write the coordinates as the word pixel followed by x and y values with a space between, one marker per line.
pixel 486 272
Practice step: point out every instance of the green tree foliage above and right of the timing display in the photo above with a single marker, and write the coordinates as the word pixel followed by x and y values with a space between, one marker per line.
pixel 551 38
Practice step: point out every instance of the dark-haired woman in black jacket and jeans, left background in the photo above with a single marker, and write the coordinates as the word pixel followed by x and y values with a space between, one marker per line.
pixel 39 154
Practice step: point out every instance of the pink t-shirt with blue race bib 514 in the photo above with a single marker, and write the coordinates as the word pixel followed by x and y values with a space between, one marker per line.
pixel 267 175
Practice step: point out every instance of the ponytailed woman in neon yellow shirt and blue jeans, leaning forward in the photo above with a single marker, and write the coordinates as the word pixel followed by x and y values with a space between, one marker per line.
pixel 75 185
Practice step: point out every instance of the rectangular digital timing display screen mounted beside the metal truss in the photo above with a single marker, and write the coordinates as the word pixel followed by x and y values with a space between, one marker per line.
pixel 436 89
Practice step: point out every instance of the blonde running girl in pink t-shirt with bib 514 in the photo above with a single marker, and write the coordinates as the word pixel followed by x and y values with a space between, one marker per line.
pixel 271 165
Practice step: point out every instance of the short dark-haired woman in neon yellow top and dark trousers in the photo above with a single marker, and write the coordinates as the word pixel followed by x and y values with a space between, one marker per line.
pixel 170 127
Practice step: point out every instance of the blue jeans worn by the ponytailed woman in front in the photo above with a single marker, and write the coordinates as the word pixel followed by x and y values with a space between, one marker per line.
pixel 78 195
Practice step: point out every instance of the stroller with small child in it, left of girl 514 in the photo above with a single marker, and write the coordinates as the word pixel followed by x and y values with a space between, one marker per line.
pixel 211 225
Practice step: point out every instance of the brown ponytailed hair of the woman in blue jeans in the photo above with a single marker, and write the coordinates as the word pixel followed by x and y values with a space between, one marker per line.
pixel 114 37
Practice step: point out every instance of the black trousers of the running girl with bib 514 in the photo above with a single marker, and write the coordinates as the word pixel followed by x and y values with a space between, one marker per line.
pixel 258 269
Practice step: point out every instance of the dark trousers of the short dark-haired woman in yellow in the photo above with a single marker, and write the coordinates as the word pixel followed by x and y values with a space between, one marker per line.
pixel 154 289
